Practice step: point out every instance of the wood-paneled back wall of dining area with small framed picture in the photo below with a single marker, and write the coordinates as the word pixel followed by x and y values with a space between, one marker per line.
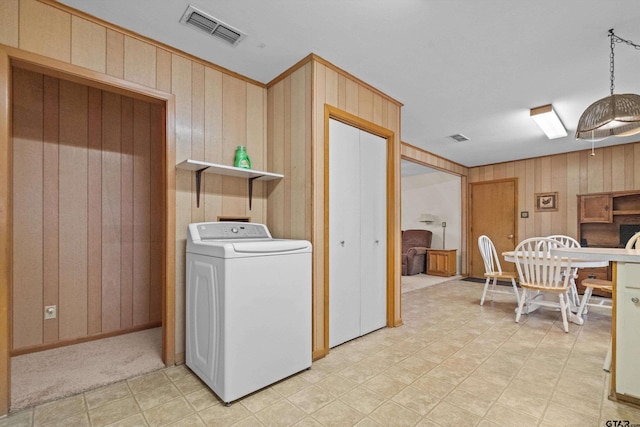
pixel 611 169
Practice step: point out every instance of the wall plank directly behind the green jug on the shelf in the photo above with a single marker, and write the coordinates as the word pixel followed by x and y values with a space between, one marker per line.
pixel 234 117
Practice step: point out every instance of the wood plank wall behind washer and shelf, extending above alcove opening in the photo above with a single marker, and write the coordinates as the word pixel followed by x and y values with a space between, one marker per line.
pixel 216 109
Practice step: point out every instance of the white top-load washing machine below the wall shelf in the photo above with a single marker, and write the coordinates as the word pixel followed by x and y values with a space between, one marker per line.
pixel 248 308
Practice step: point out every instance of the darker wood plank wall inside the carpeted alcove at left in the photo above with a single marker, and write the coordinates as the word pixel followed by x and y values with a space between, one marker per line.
pixel 88 211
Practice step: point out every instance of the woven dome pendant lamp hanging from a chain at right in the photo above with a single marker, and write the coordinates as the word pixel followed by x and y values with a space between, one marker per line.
pixel 615 115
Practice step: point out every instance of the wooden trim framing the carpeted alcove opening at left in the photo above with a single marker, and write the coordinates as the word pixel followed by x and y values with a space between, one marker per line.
pixel 10 57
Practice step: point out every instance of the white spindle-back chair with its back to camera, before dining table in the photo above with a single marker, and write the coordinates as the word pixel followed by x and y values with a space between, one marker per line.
pixel 539 271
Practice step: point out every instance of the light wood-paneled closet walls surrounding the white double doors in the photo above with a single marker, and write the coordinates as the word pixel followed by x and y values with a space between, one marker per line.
pixel 296 148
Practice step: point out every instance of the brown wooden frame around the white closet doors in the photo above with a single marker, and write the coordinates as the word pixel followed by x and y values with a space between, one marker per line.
pixel 367 126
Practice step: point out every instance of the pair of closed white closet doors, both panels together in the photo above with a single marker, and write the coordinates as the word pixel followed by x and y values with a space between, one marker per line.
pixel 357 232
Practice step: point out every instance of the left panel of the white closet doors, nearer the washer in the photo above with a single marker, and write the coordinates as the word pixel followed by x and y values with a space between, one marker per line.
pixel 344 233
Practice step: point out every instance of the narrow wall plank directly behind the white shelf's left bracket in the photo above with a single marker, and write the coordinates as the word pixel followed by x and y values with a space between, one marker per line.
pixel 197 134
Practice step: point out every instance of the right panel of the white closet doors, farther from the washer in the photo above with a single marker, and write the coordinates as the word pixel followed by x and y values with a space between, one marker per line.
pixel 373 228
